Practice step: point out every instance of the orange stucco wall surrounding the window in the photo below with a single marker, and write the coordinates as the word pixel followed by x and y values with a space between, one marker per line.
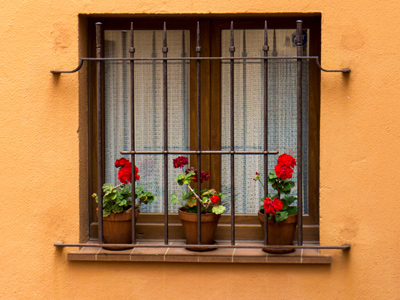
pixel 40 160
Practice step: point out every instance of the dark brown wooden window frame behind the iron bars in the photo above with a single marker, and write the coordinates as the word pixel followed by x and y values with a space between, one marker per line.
pixel 247 226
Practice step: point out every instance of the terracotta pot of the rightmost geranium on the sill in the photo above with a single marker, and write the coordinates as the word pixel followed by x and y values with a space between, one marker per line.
pixel 281 233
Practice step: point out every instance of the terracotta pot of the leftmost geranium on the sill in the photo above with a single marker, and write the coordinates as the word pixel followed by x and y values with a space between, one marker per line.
pixel 117 228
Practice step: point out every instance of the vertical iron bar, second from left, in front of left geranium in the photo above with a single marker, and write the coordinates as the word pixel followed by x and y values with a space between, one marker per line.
pixel 133 160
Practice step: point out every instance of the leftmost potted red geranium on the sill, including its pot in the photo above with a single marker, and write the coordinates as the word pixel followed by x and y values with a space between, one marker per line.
pixel 117 205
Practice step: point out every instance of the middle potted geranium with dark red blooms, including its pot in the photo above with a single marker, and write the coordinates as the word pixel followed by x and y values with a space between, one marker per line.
pixel 207 200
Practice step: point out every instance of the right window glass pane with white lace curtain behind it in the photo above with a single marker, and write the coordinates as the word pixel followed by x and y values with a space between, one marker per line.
pixel 249 116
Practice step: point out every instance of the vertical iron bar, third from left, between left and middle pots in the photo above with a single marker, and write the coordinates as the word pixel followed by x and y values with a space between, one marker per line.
pixel 165 103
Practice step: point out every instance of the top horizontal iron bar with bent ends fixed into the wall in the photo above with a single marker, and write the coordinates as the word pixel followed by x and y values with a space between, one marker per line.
pixel 345 70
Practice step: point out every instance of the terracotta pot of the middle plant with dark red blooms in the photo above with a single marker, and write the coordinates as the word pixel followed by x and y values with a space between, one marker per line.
pixel 209 222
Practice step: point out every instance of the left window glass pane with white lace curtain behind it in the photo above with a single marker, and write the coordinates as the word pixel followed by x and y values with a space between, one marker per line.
pixel 148 106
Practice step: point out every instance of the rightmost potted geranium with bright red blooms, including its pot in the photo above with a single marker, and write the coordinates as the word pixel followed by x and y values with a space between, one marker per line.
pixel 282 216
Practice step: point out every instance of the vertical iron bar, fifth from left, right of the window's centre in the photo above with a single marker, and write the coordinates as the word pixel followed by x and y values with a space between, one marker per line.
pixel 232 103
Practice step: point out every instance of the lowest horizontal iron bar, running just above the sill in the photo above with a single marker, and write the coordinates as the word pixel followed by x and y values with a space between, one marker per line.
pixel 248 246
